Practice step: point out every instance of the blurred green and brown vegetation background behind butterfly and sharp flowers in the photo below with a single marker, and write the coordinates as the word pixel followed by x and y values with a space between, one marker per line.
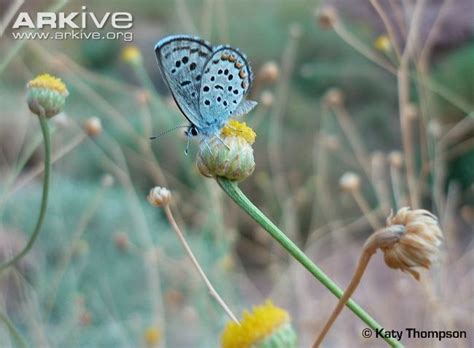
pixel 107 270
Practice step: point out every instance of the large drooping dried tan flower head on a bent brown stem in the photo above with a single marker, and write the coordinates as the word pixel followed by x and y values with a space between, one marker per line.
pixel 419 246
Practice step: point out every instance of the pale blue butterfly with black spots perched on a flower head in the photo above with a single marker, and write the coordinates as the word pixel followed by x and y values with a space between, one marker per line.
pixel 208 83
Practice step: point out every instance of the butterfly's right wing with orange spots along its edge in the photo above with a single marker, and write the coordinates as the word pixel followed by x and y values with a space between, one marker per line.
pixel 226 80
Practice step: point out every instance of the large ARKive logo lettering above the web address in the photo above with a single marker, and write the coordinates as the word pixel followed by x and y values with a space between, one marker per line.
pixel 73 20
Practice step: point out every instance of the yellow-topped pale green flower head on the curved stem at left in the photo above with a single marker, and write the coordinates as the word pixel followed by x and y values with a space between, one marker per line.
pixel 46 95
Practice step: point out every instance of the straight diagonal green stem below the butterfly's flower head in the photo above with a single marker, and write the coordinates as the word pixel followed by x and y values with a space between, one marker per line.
pixel 231 188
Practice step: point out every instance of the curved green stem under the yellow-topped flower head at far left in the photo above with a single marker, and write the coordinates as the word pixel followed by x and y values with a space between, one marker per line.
pixel 44 200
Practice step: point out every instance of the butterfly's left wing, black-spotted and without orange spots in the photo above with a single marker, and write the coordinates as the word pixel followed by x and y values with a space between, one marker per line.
pixel 181 59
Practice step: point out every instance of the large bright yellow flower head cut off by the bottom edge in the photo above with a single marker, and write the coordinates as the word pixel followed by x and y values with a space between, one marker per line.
pixel 266 326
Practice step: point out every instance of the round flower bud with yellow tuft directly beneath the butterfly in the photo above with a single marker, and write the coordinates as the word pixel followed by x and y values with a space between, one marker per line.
pixel 230 155
